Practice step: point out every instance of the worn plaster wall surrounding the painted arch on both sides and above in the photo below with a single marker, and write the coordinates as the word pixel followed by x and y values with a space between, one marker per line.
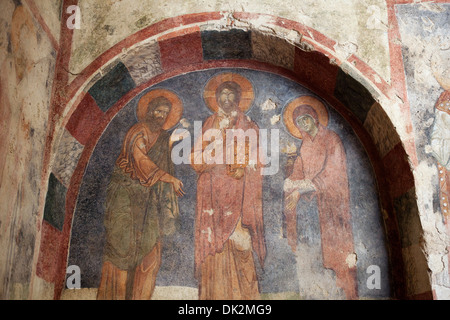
pixel 30 40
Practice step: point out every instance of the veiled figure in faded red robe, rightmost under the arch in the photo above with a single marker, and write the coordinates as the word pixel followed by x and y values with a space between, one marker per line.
pixel 320 170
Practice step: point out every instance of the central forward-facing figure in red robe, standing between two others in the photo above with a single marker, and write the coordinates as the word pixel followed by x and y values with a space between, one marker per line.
pixel 229 221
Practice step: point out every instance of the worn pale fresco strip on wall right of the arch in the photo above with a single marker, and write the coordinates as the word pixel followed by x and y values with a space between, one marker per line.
pixel 426 52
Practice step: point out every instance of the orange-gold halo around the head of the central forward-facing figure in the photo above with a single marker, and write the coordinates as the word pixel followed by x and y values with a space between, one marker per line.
pixel 247 95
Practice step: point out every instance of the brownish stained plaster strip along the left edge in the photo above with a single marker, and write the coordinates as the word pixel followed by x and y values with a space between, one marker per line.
pixel 27 69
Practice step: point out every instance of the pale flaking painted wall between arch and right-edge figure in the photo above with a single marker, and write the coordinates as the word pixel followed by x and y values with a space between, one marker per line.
pixel 424 32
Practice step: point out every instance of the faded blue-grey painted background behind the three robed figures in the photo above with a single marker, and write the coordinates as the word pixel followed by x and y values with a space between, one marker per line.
pixel 368 245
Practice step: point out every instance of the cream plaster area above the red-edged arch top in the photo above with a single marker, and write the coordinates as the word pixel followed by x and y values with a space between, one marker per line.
pixel 363 33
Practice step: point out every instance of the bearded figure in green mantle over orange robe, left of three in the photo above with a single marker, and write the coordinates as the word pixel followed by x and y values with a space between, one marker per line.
pixel 141 207
